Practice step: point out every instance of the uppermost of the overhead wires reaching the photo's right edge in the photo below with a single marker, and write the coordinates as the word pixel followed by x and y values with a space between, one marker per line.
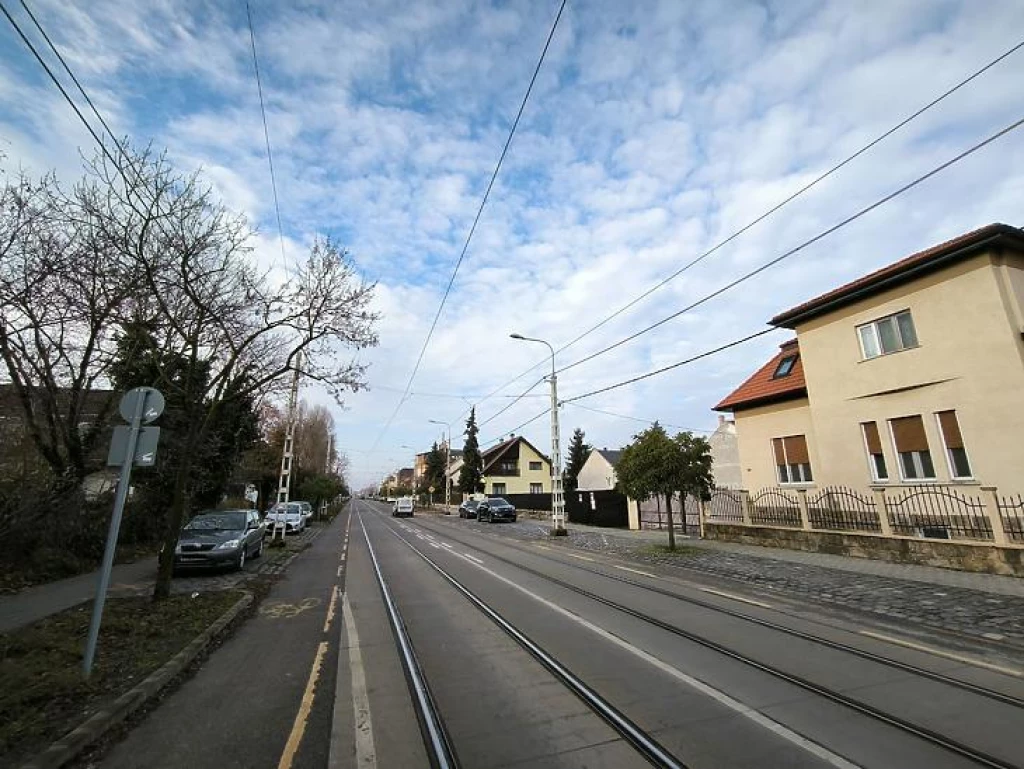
pixel 775 209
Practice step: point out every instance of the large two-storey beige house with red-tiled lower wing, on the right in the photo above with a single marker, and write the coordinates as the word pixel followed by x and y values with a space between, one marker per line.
pixel 912 374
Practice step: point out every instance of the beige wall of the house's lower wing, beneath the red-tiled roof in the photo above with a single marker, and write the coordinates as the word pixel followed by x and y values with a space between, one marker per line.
pixel 757 428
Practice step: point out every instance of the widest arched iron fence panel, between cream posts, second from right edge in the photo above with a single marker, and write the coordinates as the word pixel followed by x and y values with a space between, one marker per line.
pixel 938 514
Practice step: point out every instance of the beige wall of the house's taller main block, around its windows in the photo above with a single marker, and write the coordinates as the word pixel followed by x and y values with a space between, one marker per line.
pixel 969 359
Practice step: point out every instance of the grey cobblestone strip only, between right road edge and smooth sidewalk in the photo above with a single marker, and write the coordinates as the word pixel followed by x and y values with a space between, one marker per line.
pixel 892 601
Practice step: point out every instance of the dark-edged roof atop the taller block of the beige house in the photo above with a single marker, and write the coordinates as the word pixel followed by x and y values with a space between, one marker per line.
pixel 905 271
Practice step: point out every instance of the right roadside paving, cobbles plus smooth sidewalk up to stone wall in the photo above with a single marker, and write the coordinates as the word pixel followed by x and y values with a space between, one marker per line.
pixel 983 607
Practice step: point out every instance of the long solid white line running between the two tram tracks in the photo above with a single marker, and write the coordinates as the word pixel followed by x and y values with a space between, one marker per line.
pixel 774 727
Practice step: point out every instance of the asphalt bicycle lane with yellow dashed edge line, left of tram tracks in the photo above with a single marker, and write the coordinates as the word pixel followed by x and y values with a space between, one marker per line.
pixel 253 703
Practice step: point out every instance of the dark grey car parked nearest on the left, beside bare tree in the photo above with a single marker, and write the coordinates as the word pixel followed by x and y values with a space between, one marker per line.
pixel 220 539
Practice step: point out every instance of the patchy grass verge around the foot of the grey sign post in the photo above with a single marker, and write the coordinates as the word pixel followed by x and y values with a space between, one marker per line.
pixel 44 695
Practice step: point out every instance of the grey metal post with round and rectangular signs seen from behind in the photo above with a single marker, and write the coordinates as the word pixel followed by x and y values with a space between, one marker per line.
pixel 132 446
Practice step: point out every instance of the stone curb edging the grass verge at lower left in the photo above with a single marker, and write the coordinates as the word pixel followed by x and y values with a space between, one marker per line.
pixel 97 727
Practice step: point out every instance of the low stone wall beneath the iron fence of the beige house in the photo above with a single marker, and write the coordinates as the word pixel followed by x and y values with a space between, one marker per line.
pixel 943 553
